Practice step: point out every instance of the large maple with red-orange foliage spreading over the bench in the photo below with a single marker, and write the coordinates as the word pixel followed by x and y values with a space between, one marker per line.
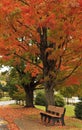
pixel 51 33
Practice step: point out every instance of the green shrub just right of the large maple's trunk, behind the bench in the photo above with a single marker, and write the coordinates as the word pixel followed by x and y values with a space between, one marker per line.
pixel 59 100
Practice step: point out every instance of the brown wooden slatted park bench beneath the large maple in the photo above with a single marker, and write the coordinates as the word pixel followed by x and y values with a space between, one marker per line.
pixel 54 113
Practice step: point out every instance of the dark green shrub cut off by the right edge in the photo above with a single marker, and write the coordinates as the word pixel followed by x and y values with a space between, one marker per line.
pixel 78 110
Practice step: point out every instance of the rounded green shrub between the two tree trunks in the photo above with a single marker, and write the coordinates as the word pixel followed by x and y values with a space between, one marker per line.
pixel 40 99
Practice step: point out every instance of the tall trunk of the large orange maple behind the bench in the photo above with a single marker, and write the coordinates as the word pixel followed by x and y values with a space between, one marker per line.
pixel 49 65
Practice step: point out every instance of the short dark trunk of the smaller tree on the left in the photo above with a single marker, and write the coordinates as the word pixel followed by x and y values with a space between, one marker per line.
pixel 29 97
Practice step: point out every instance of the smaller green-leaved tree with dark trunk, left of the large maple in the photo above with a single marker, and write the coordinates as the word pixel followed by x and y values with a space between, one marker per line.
pixel 28 81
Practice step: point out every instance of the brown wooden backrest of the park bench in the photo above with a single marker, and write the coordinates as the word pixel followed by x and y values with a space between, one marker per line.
pixel 56 110
